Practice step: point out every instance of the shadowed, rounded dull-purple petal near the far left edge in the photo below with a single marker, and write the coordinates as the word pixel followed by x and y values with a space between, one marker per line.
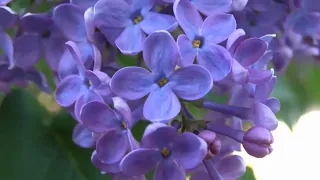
pixel 27 50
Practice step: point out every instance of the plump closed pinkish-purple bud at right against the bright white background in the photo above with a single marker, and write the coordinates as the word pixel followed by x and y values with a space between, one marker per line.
pixel 257 142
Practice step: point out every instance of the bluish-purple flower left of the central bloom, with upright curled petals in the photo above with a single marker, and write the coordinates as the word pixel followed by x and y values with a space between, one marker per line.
pixel 83 86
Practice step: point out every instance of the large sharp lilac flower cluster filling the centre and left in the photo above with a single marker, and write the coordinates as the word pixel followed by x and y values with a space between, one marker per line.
pixel 185 50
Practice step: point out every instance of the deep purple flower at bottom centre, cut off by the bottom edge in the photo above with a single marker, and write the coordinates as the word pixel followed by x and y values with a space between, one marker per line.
pixel 170 153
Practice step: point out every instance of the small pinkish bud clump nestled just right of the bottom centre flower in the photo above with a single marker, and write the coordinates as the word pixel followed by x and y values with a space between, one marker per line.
pixel 214 144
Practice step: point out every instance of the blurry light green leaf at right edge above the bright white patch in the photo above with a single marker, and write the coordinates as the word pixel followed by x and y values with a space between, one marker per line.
pixel 298 90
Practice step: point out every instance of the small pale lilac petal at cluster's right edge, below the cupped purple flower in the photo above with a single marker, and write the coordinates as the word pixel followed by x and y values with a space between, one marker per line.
pixel 259 76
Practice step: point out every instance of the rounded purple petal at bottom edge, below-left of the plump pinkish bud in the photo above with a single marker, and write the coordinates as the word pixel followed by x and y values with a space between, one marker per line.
pixel 231 167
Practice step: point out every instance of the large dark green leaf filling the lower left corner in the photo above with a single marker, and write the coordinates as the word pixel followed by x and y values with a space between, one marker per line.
pixel 35 148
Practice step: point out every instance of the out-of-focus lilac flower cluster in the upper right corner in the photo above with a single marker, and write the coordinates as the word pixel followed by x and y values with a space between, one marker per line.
pixel 296 23
